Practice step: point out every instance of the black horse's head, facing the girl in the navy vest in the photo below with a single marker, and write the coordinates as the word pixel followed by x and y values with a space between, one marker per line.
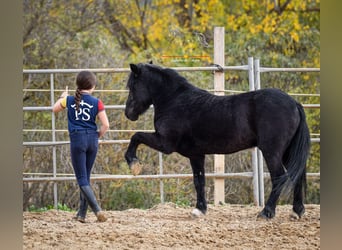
pixel 139 99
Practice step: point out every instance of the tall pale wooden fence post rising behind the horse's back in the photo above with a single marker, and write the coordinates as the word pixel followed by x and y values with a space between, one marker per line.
pixel 219 90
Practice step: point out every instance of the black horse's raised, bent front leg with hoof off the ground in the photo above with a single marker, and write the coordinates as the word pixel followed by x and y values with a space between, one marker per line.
pixel 150 139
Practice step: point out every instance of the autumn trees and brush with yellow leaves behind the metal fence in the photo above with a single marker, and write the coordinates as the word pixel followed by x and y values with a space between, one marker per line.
pixel 111 33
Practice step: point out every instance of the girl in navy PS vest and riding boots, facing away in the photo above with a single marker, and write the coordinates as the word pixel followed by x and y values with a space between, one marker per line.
pixel 83 109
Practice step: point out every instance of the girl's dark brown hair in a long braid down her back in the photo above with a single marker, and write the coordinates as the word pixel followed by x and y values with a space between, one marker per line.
pixel 85 80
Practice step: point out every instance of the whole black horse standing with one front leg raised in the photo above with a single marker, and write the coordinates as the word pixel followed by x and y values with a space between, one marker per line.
pixel 194 122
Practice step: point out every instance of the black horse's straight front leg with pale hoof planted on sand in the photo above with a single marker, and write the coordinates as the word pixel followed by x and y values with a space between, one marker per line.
pixel 197 164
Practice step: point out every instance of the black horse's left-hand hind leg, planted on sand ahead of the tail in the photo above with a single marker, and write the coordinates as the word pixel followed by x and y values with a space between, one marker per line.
pixel 277 172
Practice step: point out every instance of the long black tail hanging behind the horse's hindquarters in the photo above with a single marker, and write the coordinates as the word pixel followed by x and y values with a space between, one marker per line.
pixel 297 154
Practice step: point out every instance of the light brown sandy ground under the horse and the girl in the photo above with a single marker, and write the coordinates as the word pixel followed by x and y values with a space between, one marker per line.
pixel 166 226
